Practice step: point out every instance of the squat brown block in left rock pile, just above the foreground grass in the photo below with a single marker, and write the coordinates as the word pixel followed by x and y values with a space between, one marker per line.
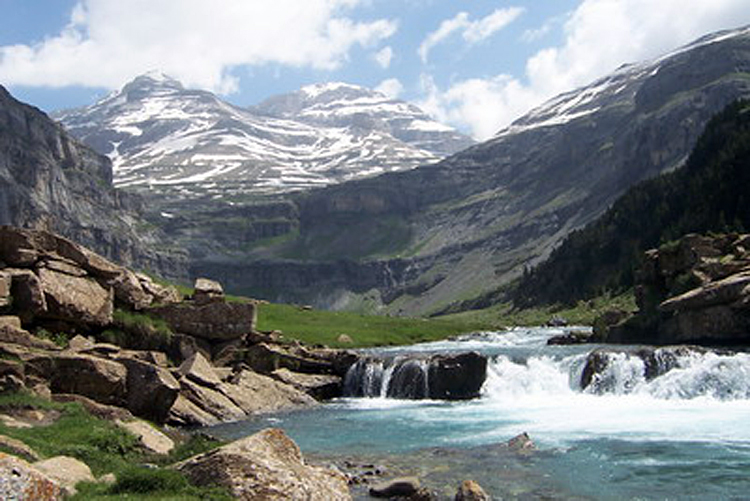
pixel 102 380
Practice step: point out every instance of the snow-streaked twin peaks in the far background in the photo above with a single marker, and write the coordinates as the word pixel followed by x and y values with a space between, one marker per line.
pixel 165 139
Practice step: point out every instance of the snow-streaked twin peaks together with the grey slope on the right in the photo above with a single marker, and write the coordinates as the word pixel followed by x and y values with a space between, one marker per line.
pixel 419 240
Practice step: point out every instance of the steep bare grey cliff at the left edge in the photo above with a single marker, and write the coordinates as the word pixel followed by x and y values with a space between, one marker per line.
pixel 50 181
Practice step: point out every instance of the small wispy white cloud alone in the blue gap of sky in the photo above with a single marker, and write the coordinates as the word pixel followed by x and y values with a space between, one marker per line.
pixel 471 31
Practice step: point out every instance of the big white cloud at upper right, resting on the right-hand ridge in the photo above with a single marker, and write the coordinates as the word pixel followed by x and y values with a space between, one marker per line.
pixel 600 35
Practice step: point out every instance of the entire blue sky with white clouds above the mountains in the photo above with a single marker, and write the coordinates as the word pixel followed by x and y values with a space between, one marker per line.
pixel 476 64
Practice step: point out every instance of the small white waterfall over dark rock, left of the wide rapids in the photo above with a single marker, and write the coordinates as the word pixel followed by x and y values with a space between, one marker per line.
pixel 401 377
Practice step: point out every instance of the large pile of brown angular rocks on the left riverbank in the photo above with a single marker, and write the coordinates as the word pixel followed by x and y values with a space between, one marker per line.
pixel 203 364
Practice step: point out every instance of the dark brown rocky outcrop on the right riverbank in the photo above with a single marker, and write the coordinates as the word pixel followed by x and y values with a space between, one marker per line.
pixel 694 290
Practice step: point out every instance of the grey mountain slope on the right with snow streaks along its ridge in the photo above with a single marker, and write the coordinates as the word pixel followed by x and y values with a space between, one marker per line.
pixel 417 241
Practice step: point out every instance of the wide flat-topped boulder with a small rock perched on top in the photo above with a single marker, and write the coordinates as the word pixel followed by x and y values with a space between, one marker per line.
pixel 215 321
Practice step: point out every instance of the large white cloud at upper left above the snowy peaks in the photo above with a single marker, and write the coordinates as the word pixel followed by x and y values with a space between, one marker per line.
pixel 108 42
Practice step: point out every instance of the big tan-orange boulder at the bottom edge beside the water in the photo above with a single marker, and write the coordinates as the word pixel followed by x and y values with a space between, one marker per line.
pixel 268 466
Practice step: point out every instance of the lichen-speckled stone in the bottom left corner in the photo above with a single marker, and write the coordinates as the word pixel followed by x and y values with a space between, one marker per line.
pixel 20 481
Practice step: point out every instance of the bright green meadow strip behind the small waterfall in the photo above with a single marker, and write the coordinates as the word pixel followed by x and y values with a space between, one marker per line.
pixel 324 327
